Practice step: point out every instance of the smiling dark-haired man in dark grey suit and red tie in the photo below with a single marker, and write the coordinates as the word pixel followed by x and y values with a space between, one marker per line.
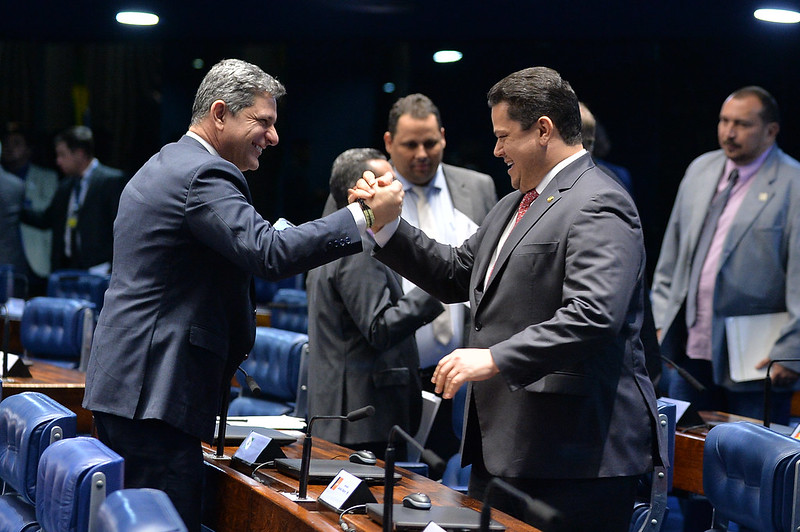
pixel 559 403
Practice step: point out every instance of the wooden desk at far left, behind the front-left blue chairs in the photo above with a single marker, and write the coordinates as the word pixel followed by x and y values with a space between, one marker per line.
pixel 64 385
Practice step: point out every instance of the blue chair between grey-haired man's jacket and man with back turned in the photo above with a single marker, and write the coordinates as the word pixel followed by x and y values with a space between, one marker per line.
pixel 274 363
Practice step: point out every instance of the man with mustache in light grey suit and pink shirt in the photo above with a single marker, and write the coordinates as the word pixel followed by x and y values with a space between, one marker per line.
pixel 748 265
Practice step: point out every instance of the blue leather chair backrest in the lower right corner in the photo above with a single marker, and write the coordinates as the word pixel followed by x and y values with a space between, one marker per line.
pixel 750 476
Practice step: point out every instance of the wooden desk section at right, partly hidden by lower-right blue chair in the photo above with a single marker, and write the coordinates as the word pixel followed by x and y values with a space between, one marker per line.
pixel 687 473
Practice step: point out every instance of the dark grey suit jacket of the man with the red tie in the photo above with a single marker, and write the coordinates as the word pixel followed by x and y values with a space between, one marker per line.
pixel 561 314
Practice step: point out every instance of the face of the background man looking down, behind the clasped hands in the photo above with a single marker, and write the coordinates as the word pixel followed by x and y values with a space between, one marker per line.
pixel 416 148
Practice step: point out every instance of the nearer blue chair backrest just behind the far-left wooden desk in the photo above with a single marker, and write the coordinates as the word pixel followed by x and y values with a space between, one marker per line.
pixel 58 329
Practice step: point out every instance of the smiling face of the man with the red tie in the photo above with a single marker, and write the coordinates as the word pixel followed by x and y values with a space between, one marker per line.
pixel 520 149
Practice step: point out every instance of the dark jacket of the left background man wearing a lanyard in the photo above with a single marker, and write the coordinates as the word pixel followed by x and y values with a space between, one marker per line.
pixel 95 221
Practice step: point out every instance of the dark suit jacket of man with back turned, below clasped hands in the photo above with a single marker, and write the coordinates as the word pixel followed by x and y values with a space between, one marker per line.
pixel 362 349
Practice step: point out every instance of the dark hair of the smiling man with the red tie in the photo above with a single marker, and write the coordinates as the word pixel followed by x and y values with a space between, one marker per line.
pixel 536 92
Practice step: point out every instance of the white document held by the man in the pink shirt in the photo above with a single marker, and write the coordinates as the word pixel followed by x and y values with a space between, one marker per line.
pixel 750 339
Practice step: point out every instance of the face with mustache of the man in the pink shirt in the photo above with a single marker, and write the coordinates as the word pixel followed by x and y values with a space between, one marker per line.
pixel 742 132
